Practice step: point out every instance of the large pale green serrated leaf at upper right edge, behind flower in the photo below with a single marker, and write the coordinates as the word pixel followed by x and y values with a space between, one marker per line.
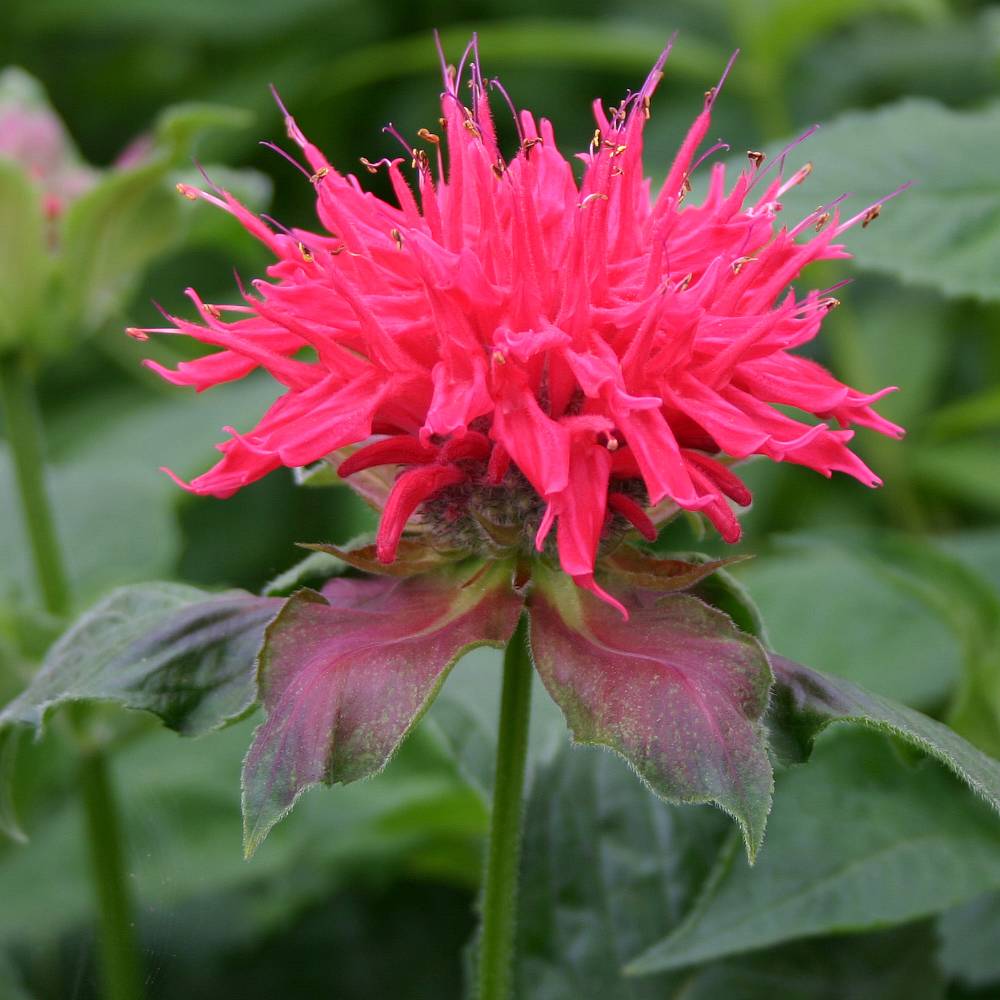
pixel 945 231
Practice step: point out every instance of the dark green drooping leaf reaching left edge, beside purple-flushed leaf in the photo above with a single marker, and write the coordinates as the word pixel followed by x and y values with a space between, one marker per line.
pixel 183 654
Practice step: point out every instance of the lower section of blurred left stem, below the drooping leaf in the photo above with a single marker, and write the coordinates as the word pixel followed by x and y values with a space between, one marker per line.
pixel 119 955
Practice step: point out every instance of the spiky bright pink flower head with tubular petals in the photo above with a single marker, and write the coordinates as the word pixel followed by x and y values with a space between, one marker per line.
pixel 533 351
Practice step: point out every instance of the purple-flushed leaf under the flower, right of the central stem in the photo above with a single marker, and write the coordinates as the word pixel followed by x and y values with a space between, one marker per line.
pixel 676 690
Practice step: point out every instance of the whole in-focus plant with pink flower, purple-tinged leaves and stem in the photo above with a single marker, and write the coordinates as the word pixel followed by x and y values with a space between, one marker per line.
pixel 528 369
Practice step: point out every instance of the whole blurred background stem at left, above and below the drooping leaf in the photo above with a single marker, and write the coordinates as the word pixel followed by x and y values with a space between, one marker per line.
pixel 25 436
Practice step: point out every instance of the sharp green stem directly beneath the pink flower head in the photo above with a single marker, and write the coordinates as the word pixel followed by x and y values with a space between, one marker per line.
pixel 499 907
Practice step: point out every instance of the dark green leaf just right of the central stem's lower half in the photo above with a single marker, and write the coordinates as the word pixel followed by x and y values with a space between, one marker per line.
pixel 607 868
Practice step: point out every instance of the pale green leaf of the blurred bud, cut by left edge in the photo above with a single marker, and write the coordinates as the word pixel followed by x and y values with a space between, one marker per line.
pixel 24 263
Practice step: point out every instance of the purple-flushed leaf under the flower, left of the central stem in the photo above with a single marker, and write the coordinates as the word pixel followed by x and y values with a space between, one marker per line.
pixel 345 674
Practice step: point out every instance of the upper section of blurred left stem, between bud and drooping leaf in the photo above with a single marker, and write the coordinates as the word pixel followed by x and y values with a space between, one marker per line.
pixel 25 436
